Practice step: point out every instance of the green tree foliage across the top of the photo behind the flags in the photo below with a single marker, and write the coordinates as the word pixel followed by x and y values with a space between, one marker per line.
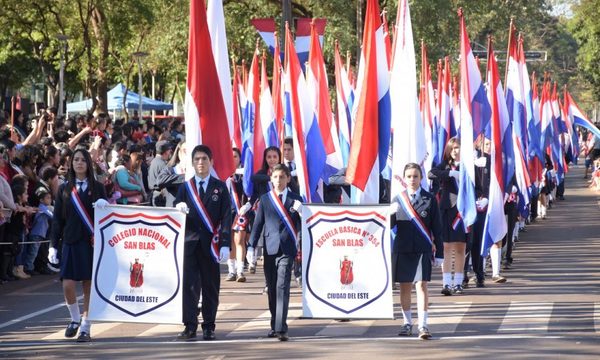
pixel 103 35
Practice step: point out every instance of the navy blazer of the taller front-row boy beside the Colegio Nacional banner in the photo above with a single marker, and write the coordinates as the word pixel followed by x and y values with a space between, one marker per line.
pixel 217 202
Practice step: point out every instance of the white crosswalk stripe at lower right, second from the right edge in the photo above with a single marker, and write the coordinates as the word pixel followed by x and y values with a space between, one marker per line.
pixel 527 316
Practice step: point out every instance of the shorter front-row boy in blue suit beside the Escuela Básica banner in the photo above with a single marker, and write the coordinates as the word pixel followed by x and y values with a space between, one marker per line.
pixel 278 215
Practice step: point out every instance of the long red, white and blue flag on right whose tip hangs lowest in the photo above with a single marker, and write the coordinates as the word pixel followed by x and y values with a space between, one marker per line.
pixel 495 226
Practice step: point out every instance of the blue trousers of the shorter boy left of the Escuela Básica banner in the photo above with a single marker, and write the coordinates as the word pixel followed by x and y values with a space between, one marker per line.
pixel 278 271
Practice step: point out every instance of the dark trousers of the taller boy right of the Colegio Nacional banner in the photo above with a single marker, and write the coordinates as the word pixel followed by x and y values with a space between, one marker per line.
pixel 200 273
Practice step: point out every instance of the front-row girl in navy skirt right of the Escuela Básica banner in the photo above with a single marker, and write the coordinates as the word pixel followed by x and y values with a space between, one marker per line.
pixel 418 237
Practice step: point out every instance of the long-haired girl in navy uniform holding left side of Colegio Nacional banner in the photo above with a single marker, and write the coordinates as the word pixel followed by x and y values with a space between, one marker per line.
pixel 73 223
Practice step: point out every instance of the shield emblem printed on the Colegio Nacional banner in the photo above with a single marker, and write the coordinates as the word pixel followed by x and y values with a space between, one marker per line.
pixel 137 270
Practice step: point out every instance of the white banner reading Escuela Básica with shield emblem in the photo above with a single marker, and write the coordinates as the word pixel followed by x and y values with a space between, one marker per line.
pixel 346 262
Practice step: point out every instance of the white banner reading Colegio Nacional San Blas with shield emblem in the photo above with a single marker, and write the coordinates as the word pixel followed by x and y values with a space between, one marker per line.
pixel 138 264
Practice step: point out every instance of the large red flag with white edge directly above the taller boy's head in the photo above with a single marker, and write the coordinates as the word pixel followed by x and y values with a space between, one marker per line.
pixel 205 115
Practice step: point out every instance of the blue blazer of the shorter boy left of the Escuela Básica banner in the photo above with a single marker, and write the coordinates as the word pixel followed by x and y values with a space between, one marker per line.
pixel 276 234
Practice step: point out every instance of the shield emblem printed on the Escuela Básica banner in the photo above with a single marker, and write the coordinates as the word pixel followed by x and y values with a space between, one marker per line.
pixel 347 267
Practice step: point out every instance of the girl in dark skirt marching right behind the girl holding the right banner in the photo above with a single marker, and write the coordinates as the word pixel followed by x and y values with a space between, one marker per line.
pixel 455 238
